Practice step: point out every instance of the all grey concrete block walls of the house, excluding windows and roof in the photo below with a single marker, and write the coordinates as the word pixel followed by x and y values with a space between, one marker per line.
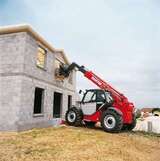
pixel 19 76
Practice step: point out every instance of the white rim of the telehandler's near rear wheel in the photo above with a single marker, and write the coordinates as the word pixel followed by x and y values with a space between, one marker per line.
pixel 109 121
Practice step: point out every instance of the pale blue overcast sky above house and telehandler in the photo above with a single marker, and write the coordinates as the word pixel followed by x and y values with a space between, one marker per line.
pixel 118 40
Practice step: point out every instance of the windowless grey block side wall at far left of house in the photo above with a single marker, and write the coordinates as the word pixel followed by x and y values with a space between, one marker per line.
pixel 11 65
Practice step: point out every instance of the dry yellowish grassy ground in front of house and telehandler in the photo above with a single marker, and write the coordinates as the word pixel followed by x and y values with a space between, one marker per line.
pixel 78 144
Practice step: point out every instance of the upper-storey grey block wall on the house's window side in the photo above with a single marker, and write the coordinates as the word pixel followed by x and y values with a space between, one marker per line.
pixel 47 75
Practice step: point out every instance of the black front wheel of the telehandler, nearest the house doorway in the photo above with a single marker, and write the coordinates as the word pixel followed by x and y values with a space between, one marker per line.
pixel 74 117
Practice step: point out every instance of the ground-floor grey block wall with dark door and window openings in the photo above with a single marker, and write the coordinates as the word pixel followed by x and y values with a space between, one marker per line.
pixel 26 117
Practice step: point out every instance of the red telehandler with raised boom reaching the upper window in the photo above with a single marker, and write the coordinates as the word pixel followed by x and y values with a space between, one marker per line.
pixel 105 105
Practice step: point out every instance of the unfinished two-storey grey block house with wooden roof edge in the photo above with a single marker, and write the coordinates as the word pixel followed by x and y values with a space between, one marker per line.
pixel 30 93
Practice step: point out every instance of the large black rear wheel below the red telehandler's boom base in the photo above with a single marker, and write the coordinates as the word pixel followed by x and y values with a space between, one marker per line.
pixel 111 121
